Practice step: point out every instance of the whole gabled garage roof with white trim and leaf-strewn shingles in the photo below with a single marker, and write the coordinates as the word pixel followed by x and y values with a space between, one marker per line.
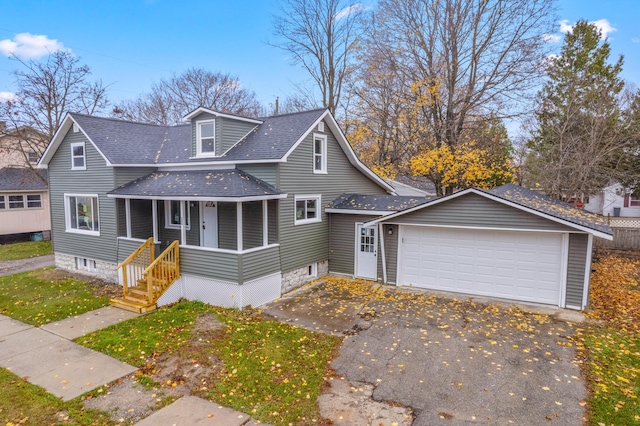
pixel 531 202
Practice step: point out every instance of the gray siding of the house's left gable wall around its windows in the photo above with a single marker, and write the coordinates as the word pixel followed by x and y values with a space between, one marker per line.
pixel 98 178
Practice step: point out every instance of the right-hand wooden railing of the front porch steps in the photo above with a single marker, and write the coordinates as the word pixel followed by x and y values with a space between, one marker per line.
pixel 162 272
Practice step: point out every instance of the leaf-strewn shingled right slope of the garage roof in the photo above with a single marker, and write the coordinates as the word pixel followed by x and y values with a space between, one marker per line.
pixel 556 208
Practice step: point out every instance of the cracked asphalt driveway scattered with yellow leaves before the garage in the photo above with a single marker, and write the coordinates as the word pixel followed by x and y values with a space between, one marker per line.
pixel 454 362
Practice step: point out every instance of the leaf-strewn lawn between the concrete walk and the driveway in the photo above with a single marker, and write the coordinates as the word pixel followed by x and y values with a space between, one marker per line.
pixel 270 370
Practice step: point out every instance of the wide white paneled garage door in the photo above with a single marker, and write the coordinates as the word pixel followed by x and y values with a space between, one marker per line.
pixel 522 266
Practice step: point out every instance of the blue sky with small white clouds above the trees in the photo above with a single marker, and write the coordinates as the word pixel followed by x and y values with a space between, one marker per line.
pixel 130 44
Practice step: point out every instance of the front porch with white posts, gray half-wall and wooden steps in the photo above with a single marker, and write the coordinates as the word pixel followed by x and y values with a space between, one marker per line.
pixel 211 245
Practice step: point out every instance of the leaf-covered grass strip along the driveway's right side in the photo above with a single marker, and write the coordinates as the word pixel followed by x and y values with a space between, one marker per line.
pixel 611 349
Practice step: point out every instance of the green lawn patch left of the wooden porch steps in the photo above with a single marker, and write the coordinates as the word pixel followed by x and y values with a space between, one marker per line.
pixel 42 296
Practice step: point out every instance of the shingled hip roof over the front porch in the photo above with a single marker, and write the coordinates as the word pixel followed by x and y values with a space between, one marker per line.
pixel 220 184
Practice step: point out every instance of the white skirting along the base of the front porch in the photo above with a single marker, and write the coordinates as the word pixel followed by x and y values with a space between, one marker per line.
pixel 220 293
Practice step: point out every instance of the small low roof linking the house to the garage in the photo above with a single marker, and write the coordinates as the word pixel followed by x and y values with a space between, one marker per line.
pixel 372 204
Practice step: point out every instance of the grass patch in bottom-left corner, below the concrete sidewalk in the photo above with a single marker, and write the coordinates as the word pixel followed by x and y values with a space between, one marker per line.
pixel 24 403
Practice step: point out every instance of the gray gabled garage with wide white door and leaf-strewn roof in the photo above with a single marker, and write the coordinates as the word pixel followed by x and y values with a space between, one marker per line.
pixel 509 243
